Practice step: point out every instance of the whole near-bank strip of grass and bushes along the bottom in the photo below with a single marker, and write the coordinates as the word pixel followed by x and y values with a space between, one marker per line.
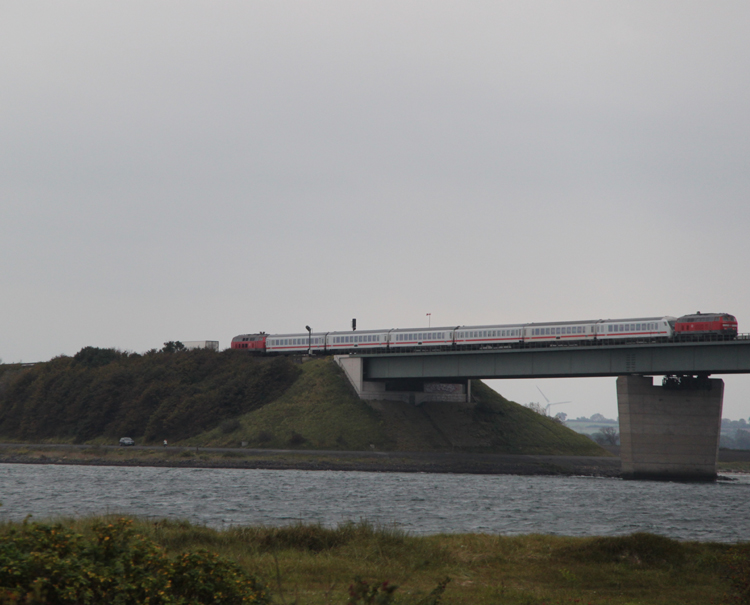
pixel 94 560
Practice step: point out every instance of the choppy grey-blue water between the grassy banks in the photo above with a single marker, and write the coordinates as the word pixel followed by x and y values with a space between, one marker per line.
pixel 418 502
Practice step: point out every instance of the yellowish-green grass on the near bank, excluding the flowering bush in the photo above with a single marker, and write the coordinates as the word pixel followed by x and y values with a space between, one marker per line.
pixel 309 564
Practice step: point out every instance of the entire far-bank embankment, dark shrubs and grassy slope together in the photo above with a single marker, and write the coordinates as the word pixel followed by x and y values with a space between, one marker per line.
pixel 206 398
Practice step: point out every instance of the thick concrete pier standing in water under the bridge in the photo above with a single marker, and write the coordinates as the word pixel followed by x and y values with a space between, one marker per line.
pixel 669 433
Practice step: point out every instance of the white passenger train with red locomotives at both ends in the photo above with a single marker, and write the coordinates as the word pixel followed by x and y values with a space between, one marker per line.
pixel 699 326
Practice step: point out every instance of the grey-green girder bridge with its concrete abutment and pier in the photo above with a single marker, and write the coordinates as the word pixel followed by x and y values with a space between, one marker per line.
pixel 669 431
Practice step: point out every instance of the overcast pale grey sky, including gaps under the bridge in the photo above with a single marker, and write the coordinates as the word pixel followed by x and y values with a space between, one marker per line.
pixel 182 170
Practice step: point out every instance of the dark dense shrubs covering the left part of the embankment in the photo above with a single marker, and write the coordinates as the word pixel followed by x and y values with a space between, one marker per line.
pixel 106 393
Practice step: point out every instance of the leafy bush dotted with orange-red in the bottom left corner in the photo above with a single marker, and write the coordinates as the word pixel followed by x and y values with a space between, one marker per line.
pixel 51 564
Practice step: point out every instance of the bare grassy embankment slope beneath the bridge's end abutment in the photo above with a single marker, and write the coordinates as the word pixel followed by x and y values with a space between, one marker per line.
pixel 320 411
